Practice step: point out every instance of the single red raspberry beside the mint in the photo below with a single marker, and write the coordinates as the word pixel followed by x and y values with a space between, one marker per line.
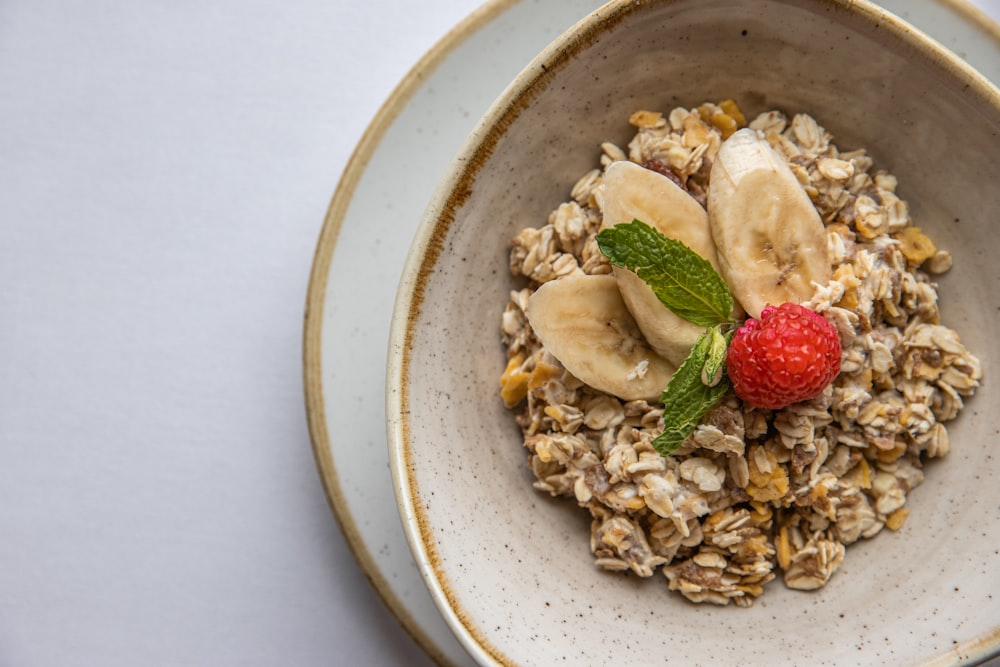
pixel 791 354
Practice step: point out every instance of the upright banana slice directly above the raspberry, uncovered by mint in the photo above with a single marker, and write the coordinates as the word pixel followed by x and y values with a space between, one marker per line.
pixel 770 239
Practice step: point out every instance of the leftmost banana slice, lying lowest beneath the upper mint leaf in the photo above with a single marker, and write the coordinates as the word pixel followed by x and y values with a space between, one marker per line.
pixel 582 320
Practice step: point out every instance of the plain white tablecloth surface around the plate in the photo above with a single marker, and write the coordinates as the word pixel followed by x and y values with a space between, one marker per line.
pixel 165 169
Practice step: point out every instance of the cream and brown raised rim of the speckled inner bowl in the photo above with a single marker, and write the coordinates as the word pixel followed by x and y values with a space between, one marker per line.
pixel 436 222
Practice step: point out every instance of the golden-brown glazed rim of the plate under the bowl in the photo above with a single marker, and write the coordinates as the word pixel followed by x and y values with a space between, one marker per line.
pixel 319 276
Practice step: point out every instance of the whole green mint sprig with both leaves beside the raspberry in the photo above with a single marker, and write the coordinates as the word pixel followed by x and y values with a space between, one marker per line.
pixel 688 285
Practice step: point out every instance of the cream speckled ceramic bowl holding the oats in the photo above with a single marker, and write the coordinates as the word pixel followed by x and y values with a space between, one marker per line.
pixel 510 567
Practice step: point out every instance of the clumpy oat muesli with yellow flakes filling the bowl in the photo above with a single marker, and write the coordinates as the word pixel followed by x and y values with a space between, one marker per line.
pixel 752 493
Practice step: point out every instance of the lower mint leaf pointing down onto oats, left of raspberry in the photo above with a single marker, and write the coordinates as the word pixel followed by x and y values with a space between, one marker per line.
pixel 687 398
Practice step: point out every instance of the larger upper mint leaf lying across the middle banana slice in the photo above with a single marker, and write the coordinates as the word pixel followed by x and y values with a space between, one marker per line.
pixel 685 282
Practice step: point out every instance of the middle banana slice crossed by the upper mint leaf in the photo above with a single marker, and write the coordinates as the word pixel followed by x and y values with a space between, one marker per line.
pixel 634 192
